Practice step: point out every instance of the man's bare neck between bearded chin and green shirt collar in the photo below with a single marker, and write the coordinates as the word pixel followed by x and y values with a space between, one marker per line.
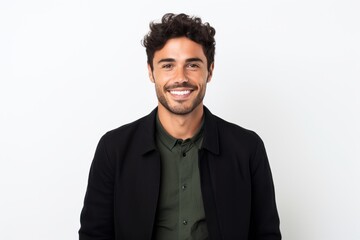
pixel 181 126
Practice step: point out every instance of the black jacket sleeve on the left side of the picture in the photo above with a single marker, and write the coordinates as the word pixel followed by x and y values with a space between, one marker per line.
pixel 97 215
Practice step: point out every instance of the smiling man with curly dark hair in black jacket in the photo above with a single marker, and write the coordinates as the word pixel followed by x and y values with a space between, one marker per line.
pixel 180 172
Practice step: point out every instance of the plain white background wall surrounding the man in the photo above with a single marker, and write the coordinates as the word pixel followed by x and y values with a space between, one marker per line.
pixel 72 70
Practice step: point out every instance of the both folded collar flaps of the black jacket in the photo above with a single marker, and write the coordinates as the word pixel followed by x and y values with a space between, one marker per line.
pixel 211 135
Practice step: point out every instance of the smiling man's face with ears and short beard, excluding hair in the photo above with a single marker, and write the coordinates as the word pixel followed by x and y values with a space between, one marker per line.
pixel 180 75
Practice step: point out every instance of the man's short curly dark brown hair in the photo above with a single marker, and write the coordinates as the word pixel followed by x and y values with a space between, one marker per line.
pixel 180 25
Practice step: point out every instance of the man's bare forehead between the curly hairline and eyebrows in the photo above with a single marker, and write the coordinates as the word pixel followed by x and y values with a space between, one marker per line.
pixel 180 49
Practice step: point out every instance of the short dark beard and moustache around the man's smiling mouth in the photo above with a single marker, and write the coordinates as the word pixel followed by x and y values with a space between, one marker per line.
pixel 181 107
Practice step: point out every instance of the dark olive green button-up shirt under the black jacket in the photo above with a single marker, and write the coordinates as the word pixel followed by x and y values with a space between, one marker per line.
pixel 180 213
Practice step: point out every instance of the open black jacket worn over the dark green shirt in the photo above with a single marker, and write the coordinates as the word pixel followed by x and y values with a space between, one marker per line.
pixel 124 180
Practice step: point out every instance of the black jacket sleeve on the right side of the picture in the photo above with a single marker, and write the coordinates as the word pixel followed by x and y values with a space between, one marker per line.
pixel 264 223
